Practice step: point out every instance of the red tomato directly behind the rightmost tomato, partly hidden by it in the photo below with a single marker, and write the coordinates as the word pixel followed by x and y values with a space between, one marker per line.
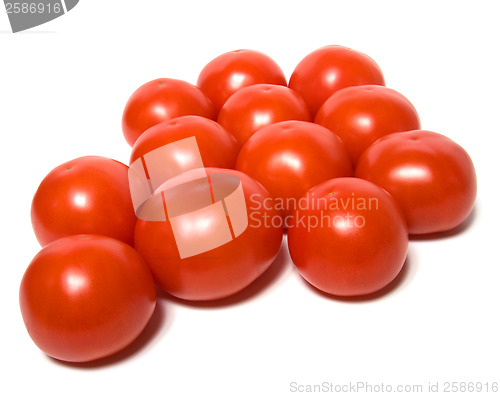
pixel 360 115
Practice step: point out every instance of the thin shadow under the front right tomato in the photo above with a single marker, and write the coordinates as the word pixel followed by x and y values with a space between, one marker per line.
pixel 406 271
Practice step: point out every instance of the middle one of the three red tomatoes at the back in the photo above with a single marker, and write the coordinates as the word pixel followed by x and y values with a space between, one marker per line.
pixel 228 72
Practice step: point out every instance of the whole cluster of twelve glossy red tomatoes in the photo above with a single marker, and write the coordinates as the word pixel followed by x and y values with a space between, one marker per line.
pixel 332 157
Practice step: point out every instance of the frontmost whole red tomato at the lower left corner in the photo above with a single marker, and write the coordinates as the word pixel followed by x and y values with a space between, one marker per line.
pixel 85 297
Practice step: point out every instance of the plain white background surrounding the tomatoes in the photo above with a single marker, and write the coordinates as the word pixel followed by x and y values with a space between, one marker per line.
pixel 63 86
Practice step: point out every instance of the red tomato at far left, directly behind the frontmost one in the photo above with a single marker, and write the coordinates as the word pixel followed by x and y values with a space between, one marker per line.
pixel 87 195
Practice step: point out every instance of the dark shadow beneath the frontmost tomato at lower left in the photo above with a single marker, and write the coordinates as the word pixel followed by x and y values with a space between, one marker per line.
pixel 159 323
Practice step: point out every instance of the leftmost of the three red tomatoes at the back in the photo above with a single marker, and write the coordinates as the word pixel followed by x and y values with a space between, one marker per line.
pixel 159 100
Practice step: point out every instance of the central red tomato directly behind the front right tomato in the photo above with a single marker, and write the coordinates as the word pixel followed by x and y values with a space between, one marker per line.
pixel 290 157
